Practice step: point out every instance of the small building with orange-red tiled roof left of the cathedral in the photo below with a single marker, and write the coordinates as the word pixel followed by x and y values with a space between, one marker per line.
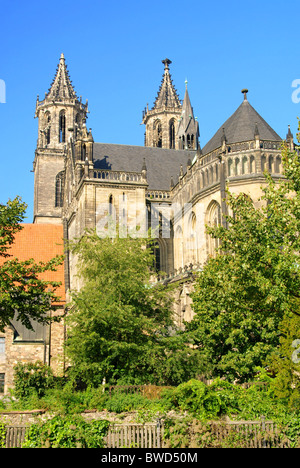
pixel 42 242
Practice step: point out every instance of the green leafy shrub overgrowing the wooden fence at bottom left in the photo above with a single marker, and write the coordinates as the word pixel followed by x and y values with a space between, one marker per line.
pixel 67 432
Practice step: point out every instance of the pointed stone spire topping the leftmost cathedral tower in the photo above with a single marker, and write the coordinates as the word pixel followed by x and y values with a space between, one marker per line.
pixel 61 88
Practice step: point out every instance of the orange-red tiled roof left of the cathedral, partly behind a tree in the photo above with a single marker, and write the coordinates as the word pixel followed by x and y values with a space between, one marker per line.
pixel 41 242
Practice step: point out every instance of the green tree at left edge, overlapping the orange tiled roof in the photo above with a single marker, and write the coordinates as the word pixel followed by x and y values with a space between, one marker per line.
pixel 23 294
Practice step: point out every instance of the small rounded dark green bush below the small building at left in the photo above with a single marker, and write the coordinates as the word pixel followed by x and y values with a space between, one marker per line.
pixel 32 378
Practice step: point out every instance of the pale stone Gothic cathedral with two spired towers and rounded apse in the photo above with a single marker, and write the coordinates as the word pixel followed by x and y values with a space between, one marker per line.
pixel 172 185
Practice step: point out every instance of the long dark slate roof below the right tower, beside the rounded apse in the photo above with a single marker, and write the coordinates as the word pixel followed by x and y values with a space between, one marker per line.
pixel 162 164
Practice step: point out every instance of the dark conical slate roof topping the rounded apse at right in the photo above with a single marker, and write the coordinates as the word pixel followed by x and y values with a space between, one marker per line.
pixel 240 127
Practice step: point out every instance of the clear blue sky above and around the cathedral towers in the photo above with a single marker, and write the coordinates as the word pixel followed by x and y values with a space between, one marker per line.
pixel 114 50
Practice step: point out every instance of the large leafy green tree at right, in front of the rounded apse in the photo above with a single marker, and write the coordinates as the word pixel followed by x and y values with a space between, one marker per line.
pixel 242 294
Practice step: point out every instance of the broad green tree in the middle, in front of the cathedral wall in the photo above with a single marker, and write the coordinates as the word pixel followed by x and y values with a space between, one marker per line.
pixel 120 325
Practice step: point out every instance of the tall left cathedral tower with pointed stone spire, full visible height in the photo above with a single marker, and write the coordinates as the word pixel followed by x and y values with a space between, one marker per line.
pixel 61 116
